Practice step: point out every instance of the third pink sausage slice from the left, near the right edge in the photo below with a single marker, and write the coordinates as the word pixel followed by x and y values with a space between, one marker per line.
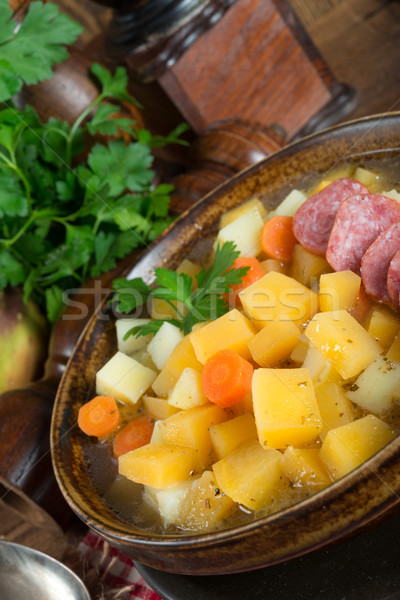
pixel 376 260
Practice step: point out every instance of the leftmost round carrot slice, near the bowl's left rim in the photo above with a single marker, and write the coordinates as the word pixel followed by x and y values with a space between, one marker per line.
pixel 99 417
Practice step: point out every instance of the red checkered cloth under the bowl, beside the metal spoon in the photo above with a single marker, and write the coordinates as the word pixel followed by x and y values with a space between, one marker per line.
pixel 115 572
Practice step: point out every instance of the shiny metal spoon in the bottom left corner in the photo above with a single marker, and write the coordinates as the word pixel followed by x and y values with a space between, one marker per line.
pixel 27 573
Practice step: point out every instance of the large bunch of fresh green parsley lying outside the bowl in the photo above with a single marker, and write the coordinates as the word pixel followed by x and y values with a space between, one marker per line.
pixel 64 218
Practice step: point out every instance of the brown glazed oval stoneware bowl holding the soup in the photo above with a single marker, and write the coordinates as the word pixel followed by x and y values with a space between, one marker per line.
pixel 356 502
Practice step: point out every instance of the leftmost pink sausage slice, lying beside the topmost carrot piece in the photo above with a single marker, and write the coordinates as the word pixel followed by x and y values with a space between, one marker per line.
pixel 314 220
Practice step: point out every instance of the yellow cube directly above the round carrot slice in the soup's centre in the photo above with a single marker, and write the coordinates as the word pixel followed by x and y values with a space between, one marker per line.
pixel 232 331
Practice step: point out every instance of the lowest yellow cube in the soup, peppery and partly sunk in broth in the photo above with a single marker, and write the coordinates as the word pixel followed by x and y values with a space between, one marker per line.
pixel 204 506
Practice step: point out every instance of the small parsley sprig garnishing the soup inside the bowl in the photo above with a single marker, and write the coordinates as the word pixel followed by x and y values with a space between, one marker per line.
pixel 191 304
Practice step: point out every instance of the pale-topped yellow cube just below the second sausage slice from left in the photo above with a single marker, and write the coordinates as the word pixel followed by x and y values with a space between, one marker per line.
pixel 338 291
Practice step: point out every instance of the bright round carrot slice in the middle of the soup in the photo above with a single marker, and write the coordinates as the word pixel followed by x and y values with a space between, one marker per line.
pixel 226 378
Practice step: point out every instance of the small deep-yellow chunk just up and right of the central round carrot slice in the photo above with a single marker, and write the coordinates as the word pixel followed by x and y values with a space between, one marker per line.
pixel 274 342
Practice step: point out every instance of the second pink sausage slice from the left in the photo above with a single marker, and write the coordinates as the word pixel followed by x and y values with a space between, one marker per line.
pixel 359 221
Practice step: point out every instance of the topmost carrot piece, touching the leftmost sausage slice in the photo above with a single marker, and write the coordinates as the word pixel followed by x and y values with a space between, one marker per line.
pixel 277 239
